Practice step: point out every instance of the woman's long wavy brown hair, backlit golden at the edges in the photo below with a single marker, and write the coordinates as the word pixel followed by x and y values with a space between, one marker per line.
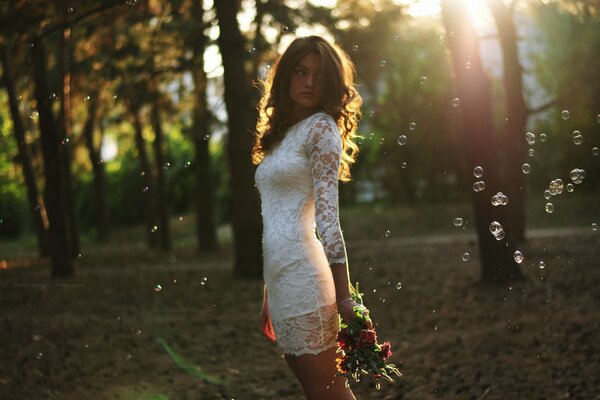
pixel 340 99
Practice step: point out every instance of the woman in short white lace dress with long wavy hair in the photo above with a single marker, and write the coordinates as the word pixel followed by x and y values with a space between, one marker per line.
pixel 308 116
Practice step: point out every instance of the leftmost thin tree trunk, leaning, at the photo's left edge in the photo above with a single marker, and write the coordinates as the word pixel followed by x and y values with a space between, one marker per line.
pixel 36 202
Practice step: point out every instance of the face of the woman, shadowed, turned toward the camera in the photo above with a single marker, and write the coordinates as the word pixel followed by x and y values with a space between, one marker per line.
pixel 306 84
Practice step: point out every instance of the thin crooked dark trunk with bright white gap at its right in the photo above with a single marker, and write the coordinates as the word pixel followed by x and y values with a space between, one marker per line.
pixel 101 203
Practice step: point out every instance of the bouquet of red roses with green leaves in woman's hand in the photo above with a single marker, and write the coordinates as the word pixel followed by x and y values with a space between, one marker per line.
pixel 360 352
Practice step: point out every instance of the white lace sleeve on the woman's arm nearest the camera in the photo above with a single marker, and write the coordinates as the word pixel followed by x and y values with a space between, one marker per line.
pixel 323 148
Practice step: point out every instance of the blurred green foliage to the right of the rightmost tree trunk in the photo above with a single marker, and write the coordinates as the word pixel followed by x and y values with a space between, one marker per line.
pixel 567 67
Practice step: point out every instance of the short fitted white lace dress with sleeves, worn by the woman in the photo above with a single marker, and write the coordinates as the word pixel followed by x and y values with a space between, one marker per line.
pixel 298 185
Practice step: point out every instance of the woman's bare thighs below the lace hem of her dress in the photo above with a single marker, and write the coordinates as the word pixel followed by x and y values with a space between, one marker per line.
pixel 317 375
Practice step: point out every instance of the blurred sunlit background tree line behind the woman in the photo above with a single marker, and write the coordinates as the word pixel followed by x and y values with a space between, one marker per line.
pixel 78 76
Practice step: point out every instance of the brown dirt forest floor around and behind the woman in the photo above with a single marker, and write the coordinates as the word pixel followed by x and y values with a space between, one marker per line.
pixel 112 333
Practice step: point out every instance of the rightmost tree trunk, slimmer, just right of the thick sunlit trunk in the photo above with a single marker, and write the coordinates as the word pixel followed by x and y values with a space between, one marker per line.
pixel 517 113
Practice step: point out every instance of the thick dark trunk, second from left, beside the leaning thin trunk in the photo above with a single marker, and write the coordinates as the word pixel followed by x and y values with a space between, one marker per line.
pixel 54 188
